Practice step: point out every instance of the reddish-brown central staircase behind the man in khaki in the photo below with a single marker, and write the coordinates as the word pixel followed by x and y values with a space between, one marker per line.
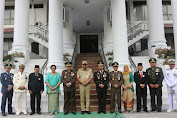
pixel 92 59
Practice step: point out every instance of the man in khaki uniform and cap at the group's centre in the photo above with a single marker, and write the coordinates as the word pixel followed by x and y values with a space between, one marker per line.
pixel 84 76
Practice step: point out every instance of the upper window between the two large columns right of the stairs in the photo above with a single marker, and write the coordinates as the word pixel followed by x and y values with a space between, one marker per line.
pixel 140 11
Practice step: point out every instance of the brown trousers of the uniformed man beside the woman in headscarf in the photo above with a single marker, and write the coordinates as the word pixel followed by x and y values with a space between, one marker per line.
pixel 112 109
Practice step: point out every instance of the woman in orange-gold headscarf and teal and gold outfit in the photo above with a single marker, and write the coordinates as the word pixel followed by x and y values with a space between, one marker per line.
pixel 128 91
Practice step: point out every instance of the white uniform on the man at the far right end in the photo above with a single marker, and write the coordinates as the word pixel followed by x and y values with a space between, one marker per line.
pixel 171 81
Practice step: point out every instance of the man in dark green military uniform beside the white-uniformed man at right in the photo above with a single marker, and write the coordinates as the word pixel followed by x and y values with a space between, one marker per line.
pixel 155 76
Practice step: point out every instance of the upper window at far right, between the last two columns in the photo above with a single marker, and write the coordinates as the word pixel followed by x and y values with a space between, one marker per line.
pixel 167 10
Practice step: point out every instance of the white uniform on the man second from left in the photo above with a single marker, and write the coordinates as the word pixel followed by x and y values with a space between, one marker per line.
pixel 21 79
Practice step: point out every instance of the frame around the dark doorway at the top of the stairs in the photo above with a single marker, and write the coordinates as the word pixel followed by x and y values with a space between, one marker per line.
pixel 78 40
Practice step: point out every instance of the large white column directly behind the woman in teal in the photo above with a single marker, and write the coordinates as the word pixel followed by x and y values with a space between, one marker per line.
pixel 55 45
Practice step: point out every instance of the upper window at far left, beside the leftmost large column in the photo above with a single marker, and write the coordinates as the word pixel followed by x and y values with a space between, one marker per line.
pixel 9 15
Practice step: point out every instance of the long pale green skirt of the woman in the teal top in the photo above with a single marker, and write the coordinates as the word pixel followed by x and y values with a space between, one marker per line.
pixel 53 102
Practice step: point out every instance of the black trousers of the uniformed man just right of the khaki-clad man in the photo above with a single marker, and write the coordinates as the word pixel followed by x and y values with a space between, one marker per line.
pixel 102 101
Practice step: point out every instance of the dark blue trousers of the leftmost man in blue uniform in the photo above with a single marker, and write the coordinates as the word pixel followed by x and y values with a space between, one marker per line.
pixel 5 96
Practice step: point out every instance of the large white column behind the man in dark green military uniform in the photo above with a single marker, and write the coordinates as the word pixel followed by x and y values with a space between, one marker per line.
pixel 156 26
